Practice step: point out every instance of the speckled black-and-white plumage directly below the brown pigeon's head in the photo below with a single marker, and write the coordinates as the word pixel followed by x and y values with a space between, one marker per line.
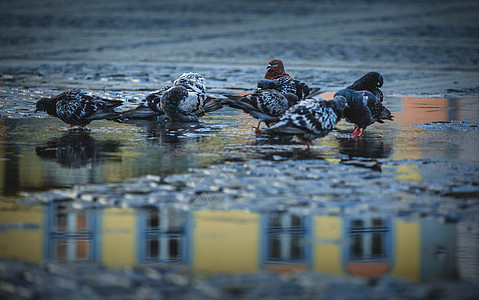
pixel 288 85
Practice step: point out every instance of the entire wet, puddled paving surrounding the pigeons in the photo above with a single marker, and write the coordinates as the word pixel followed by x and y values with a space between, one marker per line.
pixel 154 209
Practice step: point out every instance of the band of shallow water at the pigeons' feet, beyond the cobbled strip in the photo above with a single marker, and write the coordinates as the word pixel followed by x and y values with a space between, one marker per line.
pixel 40 153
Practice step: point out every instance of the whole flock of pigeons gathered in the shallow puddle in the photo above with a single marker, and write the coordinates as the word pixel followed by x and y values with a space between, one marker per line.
pixel 287 106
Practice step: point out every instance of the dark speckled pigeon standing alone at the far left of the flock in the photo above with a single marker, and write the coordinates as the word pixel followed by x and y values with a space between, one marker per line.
pixel 78 109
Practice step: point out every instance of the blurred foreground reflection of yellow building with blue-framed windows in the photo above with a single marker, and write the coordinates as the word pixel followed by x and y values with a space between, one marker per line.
pixel 234 241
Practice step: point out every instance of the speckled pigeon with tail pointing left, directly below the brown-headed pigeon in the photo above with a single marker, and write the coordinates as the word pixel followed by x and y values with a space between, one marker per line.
pixel 265 105
